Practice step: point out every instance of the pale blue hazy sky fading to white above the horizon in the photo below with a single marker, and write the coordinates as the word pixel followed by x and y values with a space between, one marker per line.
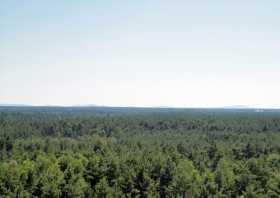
pixel 178 53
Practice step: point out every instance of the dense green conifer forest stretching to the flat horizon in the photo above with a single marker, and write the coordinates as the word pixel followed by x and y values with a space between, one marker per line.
pixel 123 152
